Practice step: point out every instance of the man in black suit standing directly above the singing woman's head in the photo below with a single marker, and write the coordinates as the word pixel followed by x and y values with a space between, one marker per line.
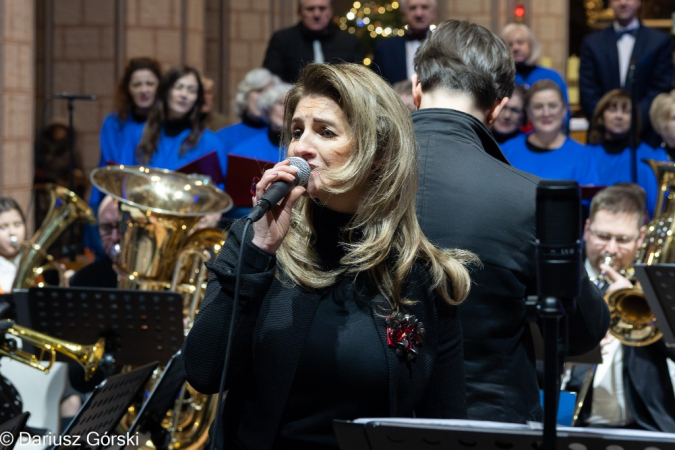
pixel 314 39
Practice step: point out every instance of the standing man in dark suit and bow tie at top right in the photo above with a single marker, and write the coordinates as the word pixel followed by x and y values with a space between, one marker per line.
pixel 629 56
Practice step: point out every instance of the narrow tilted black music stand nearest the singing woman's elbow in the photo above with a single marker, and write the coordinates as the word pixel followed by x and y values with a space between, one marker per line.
pixel 161 399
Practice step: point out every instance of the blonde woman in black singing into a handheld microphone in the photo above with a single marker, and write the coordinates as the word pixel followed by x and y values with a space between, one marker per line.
pixel 325 273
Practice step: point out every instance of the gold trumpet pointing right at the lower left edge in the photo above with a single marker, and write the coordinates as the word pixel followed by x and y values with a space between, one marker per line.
pixel 87 356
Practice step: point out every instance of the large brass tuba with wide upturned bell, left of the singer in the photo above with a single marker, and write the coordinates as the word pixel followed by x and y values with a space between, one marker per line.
pixel 159 250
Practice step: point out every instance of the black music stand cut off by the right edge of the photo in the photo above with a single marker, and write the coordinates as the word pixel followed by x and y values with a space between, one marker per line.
pixel 658 284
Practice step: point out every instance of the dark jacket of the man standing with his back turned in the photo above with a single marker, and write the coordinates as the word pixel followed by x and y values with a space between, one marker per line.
pixel 470 198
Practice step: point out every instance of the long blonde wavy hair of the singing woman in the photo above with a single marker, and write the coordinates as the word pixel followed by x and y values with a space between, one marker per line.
pixel 384 158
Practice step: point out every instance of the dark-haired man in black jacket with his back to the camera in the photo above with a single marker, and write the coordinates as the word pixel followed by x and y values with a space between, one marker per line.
pixel 471 198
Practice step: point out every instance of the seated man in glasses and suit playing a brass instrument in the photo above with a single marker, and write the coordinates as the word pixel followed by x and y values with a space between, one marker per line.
pixel 632 388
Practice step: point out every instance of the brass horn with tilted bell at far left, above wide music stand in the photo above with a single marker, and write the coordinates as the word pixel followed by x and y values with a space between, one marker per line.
pixel 65 208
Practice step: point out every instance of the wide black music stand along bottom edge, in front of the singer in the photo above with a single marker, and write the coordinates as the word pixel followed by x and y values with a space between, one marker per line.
pixel 381 434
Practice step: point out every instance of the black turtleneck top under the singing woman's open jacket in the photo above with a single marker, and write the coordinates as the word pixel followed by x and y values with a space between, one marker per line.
pixel 342 372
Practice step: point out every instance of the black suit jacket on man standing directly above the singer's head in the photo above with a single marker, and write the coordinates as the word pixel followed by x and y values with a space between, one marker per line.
pixel 290 49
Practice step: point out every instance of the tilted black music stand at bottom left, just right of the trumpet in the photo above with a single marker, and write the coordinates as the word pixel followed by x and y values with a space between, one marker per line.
pixel 104 409
